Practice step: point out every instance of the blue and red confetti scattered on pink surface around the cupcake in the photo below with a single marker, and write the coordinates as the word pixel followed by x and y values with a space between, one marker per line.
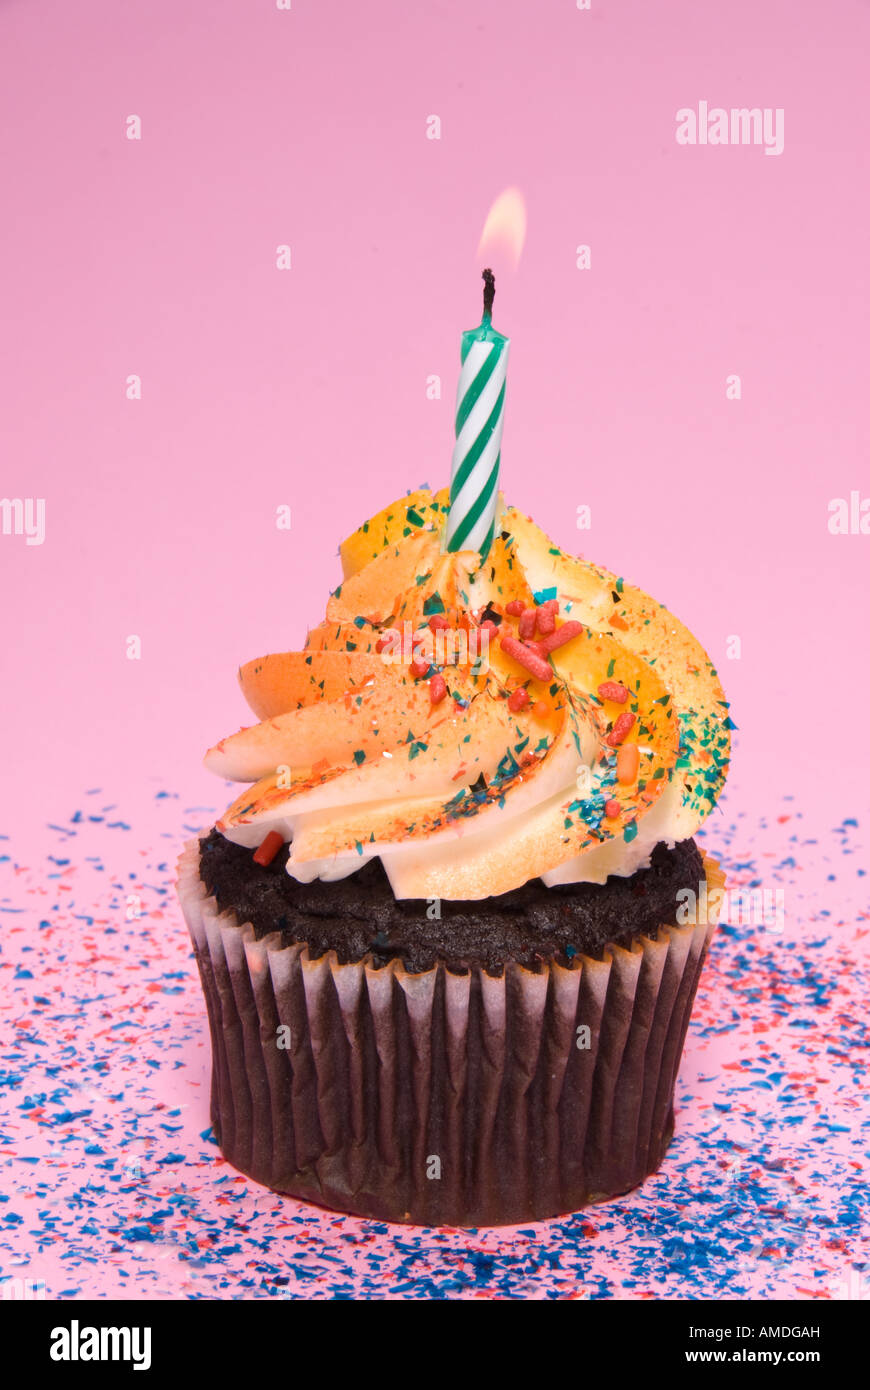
pixel 113 1188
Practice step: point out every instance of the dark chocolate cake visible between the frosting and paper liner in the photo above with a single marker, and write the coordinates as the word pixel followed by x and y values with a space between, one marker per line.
pixel 358 917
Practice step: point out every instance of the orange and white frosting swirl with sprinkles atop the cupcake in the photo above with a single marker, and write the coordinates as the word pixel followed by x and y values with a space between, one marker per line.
pixel 477 725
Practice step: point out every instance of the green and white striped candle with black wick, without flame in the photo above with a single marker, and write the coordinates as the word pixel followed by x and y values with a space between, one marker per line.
pixel 480 419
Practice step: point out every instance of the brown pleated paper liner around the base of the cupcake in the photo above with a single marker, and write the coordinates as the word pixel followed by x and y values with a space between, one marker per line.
pixel 438 1099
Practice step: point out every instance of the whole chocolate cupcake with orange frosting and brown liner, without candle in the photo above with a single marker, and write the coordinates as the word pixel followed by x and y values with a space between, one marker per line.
pixel 443 935
